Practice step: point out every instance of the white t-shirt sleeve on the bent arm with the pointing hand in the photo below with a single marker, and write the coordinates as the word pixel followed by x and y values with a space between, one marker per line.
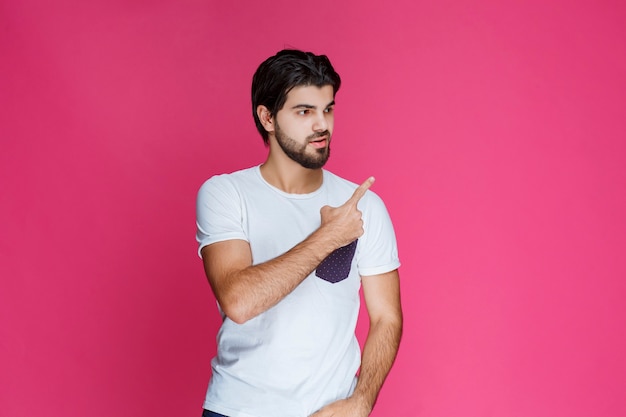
pixel 218 213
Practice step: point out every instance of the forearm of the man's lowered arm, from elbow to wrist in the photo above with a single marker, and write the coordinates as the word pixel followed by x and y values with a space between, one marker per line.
pixel 379 353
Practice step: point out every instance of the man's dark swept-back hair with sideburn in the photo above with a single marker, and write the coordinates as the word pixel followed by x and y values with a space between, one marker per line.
pixel 279 74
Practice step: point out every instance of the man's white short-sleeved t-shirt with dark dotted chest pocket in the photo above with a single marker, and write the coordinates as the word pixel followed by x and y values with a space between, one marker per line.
pixel 302 353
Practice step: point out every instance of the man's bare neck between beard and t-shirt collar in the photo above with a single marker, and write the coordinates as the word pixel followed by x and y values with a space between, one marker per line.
pixel 289 176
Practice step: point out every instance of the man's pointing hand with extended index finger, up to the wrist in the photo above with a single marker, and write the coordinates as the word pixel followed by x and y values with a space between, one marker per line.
pixel 344 224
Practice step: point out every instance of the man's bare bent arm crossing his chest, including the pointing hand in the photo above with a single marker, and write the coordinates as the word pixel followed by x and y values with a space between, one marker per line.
pixel 244 290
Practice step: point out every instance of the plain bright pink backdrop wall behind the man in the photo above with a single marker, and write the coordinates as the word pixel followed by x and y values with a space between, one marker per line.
pixel 496 130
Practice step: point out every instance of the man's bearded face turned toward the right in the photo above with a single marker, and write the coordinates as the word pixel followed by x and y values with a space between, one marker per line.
pixel 303 127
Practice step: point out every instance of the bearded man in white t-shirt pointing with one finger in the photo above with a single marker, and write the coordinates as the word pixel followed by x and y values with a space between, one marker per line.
pixel 286 246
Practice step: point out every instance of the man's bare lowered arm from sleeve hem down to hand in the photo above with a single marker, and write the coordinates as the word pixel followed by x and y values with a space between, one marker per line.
pixel 382 298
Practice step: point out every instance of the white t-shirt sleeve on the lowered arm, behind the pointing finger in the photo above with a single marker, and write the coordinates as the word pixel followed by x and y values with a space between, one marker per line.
pixel 378 250
